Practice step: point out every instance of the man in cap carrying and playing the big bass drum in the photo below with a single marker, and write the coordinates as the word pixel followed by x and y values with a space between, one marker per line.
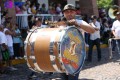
pixel 69 13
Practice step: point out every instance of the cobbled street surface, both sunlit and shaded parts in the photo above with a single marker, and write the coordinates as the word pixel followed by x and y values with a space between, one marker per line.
pixel 106 69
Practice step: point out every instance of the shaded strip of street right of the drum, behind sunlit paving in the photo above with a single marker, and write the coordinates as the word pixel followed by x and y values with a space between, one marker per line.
pixel 105 59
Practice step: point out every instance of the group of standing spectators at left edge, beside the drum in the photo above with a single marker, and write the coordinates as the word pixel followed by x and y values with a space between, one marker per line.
pixel 11 42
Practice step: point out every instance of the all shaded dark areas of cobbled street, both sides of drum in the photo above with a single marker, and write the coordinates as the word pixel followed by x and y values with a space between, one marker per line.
pixel 23 72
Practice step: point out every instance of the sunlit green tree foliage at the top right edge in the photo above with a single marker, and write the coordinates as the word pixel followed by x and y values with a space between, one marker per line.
pixel 104 3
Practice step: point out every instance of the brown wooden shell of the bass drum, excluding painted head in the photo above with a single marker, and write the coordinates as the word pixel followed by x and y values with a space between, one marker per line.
pixel 41 50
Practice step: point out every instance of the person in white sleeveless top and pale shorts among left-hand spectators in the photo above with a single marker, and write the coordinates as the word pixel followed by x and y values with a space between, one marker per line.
pixel 9 32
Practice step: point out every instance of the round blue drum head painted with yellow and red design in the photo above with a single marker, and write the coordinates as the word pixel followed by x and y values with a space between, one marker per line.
pixel 72 50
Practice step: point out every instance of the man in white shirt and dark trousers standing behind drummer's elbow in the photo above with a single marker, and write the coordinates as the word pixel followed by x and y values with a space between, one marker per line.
pixel 94 39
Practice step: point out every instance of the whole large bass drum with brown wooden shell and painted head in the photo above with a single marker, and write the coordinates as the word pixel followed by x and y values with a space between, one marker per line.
pixel 55 50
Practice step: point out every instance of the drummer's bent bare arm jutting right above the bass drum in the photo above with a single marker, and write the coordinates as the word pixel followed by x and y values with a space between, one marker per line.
pixel 86 27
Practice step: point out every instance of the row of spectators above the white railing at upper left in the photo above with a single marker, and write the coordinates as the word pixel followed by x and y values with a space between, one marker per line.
pixel 36 8
